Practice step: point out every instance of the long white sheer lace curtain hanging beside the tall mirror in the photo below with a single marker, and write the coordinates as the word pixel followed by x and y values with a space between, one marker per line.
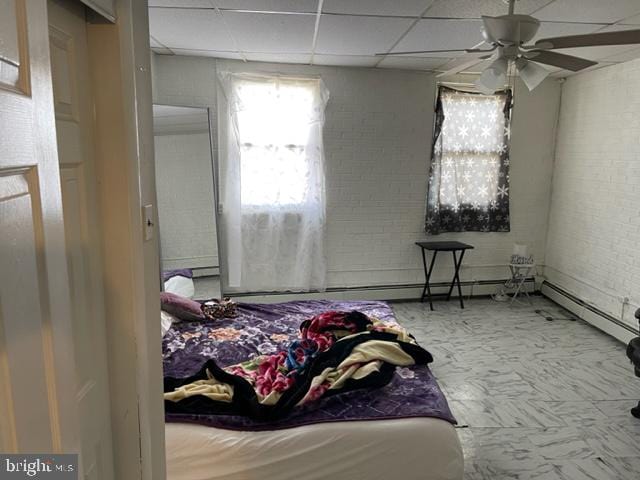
pixel 273 189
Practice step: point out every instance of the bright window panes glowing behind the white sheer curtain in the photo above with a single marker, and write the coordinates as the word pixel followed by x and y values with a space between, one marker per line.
pixel 273 129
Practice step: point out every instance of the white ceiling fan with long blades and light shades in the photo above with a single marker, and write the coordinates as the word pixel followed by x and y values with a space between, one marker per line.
pixel 507 36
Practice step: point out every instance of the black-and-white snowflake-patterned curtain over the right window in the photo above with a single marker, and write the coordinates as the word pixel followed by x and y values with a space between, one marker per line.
pixel 469 173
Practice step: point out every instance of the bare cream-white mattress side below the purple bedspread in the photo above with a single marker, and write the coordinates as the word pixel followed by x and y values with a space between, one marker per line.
pixel 407 449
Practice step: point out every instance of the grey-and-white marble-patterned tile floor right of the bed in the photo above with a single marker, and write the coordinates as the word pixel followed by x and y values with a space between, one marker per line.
pixel 535 399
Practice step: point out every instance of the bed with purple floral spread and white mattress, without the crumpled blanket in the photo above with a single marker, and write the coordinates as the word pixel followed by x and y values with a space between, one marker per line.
pixel 404 429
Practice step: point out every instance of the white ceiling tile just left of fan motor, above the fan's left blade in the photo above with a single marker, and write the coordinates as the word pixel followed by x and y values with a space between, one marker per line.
pixel 432 34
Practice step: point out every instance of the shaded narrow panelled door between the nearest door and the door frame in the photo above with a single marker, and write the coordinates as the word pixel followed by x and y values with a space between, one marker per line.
pixel 73 106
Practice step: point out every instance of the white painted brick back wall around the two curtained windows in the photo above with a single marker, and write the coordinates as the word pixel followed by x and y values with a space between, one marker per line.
pixel 377 140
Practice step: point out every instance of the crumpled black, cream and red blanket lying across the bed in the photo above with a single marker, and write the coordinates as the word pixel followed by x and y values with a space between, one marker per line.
pixel 336 352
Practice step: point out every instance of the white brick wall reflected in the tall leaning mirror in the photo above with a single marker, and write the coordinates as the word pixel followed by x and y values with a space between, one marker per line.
pixel 184 183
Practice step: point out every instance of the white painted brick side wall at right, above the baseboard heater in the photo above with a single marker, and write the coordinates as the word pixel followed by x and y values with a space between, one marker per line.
pixel 594 227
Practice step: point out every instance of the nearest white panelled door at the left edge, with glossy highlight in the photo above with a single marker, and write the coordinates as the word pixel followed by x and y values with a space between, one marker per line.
pixel 37 373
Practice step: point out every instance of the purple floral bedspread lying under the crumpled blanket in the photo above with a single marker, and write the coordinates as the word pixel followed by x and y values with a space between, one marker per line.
pixel 265 328
